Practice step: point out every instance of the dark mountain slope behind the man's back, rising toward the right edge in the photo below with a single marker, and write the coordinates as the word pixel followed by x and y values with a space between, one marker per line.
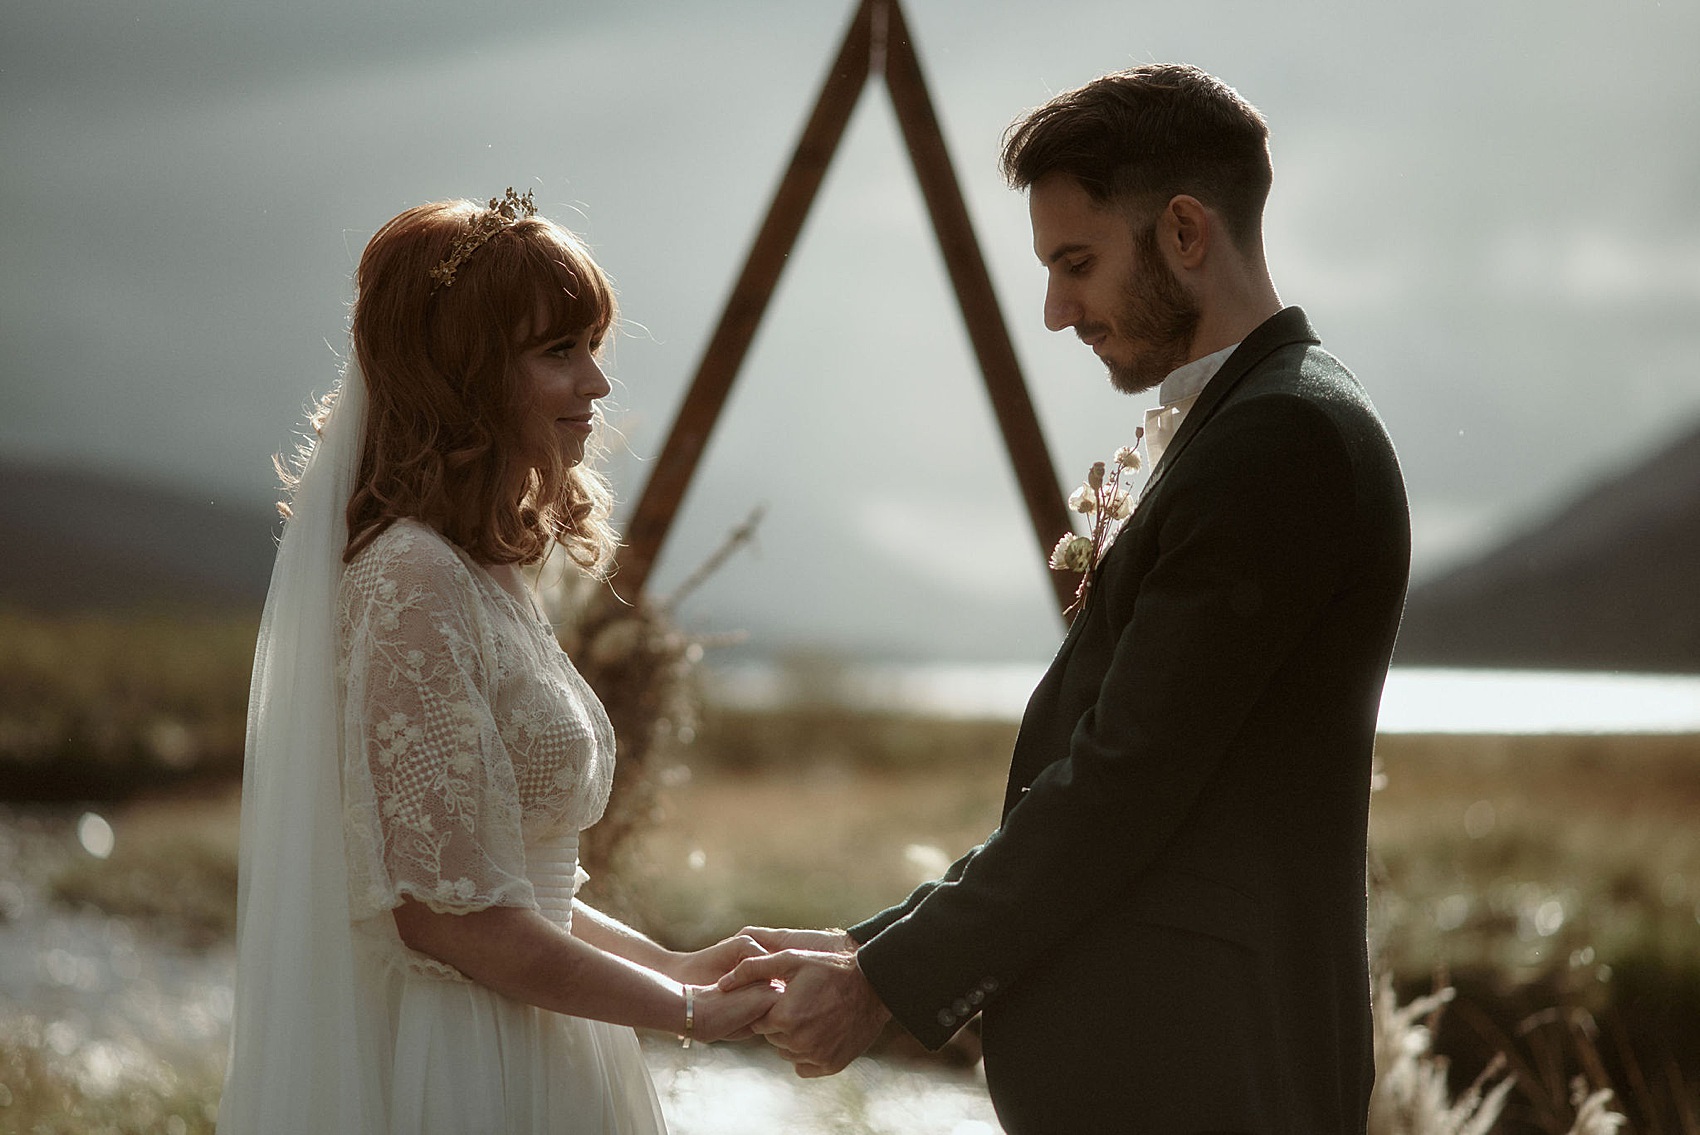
pixel 1612 582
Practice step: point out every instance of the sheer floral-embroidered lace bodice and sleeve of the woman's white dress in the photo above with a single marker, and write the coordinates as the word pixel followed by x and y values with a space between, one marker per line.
pixel 467 731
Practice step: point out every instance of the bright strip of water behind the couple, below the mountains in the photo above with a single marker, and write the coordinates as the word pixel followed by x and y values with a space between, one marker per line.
pixel 1415 703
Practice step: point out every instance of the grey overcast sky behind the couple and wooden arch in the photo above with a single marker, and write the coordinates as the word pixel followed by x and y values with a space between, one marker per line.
pixel 1492 212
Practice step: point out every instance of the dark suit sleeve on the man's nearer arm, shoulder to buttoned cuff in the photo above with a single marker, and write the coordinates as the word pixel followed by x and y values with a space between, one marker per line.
pixel 1252 541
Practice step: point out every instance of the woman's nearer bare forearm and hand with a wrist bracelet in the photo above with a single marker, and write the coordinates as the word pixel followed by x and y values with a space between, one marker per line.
pixel 523 956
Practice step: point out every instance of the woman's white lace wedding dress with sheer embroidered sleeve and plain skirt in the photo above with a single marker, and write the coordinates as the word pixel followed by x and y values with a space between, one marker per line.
pixel 475 755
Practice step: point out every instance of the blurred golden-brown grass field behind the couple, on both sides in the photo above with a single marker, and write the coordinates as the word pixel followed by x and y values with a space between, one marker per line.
pixel 1555 883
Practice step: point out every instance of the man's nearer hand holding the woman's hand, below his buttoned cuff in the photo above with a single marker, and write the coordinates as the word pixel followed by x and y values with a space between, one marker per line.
pixel 829 1014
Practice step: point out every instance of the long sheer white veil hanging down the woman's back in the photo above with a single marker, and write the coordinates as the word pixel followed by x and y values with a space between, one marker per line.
pixel 307 1036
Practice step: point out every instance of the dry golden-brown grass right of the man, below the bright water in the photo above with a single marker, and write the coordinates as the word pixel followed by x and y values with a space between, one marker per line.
pixel 1556 883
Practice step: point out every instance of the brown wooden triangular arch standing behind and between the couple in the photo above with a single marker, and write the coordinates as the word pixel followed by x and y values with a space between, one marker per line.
pixel 878 43
